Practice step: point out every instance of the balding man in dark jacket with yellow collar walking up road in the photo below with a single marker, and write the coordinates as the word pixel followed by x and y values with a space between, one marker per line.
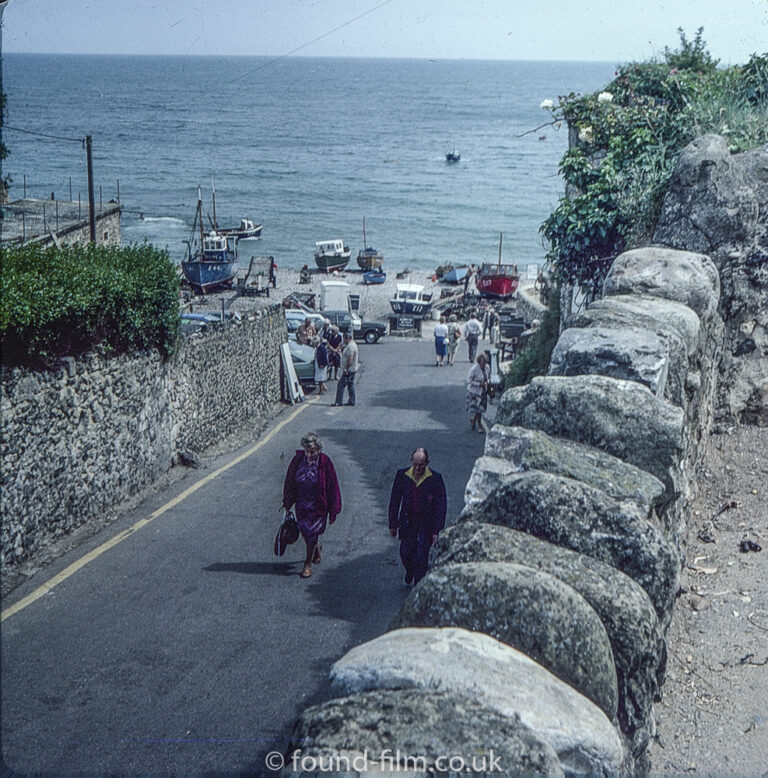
pixel 417 509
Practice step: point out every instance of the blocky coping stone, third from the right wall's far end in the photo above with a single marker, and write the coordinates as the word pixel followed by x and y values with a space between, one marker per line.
pixel 633 354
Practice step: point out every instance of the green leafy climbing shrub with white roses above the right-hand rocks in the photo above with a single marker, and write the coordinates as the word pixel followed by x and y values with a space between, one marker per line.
pixel 629 139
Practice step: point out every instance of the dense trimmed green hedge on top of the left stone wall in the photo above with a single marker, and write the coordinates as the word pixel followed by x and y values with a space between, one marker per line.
pixel 71 300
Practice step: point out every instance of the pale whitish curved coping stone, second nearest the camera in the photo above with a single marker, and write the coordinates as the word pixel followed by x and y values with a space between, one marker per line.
pixel 495 675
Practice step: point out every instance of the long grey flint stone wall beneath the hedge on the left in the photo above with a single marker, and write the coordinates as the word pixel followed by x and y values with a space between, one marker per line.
pixel 78 441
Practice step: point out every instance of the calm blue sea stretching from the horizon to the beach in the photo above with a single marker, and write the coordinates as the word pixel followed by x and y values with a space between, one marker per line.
pixel 309 146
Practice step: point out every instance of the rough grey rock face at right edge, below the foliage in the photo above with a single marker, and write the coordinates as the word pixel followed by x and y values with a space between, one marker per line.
pixel 717 204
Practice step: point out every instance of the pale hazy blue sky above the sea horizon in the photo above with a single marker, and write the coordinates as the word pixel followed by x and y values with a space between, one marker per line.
pixel 587 30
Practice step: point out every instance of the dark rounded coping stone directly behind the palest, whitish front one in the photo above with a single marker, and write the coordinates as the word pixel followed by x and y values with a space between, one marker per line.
pixel 527 609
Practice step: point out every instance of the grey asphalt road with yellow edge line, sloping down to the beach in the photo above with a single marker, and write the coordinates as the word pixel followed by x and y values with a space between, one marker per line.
pixel 188 647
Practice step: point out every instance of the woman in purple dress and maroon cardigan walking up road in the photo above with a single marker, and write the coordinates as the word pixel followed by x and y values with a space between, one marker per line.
pixel 311 485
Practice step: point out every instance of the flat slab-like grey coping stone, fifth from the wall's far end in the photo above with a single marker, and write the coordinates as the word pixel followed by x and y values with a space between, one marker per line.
pixel 529 449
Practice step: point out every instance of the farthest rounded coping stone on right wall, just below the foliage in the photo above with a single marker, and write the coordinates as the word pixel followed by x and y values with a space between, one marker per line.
pixel 683 276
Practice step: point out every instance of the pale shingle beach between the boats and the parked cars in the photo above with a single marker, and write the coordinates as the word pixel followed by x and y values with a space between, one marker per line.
pixel 374 299
